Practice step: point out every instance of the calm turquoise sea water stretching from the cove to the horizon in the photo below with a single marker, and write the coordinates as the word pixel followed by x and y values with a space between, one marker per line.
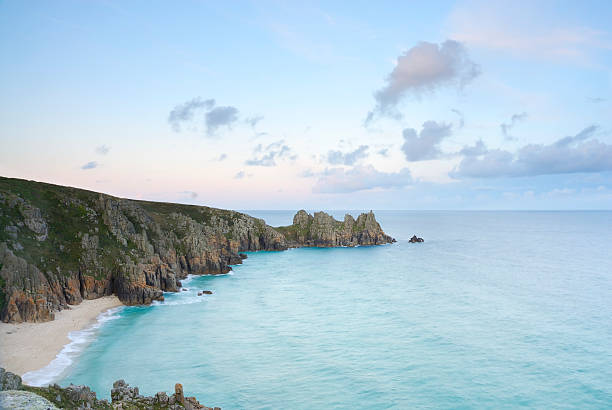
pixel 495 309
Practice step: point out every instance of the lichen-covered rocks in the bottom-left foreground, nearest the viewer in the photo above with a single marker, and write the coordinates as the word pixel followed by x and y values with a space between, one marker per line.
pixel 81 397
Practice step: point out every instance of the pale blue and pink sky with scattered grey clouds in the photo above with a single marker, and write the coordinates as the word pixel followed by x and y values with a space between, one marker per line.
pixel 317 105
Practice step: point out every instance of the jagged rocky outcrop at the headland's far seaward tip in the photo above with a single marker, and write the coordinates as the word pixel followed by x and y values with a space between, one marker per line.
pixel 322 230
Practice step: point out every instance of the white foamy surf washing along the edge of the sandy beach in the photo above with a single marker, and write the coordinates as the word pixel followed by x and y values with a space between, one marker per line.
pixel 79 340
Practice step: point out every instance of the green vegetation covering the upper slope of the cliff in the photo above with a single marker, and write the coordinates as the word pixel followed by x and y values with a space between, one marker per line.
pixel 72 213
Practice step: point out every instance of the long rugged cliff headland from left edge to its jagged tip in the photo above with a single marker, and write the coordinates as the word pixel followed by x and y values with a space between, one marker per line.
pixel 60 245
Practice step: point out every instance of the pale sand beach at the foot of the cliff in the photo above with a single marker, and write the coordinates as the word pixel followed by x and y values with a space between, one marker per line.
pixel 31 346
